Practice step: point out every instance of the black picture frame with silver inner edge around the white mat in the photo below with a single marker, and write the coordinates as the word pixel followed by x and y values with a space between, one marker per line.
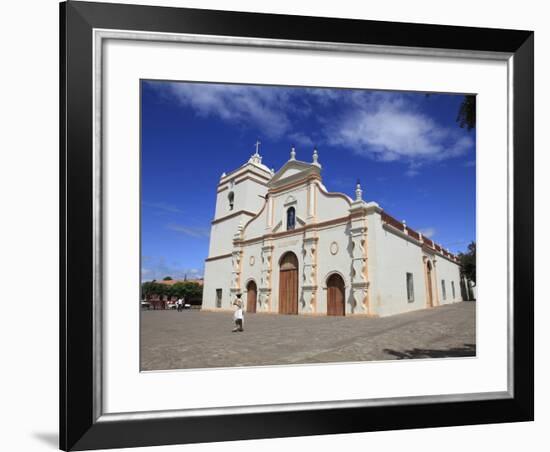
pixel 80 427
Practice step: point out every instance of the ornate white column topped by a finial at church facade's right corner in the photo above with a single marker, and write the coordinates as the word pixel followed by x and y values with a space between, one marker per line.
pixel 358 232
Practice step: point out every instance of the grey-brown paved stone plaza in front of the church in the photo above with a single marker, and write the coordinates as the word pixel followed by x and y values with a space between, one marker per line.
pixel 196 339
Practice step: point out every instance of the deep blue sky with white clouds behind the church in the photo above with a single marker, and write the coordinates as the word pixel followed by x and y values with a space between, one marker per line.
pixel 406 148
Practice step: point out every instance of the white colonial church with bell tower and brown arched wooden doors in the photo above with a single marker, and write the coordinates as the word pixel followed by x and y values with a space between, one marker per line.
pixel 290 246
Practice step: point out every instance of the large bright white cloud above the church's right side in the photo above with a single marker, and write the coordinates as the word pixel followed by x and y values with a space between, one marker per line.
pixel 388 127
